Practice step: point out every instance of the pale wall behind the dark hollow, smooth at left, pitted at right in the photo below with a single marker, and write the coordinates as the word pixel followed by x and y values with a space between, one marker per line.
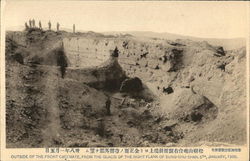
pixel 150 60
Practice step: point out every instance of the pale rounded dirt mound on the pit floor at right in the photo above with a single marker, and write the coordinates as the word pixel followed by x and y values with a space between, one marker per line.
pixel 184 105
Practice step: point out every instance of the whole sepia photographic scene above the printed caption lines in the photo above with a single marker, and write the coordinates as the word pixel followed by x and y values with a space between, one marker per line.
pixel 125 74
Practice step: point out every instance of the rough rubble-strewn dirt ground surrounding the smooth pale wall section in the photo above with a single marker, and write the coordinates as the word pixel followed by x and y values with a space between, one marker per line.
pixel 195 97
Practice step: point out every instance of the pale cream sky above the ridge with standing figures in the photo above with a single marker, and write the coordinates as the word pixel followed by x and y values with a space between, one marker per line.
pixel 200 19
